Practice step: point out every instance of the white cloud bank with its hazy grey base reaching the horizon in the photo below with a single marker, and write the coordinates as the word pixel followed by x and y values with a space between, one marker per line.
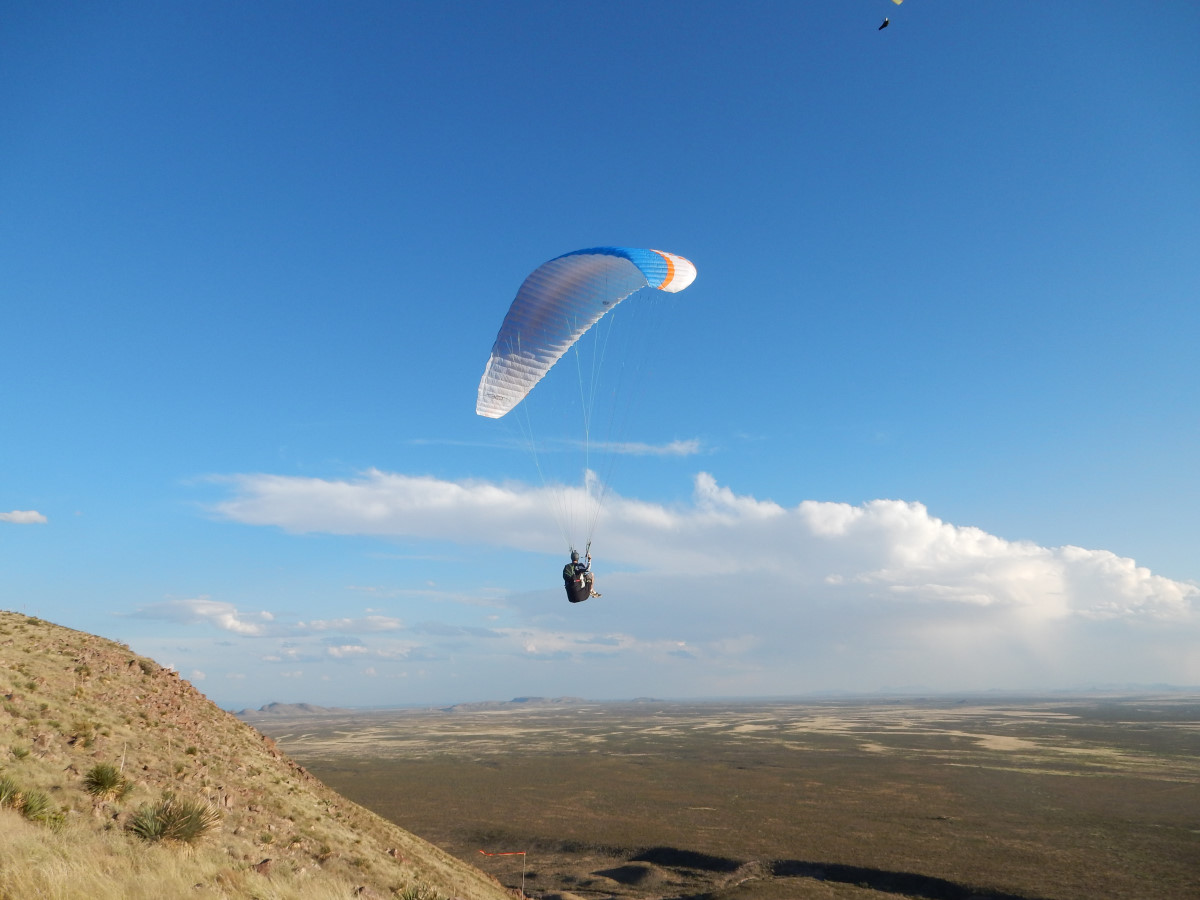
pixel 728 595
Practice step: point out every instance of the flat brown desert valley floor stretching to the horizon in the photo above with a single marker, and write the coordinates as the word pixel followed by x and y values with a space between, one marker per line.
pixel 1065 799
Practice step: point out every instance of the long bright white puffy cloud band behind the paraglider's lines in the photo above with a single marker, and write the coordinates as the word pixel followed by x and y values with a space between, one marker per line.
pixel 884 550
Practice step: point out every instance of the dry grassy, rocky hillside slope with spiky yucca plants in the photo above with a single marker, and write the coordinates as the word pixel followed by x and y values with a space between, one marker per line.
pixel 71 703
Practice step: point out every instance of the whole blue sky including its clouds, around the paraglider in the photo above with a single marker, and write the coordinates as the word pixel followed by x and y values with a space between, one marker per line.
pixel 937 380
